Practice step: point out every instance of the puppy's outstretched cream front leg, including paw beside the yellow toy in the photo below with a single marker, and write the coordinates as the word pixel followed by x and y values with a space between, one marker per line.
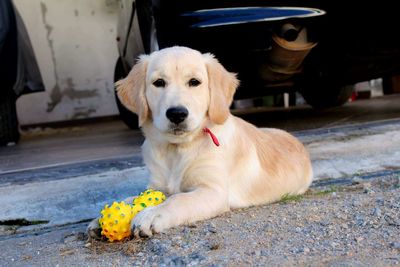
pixel 182 208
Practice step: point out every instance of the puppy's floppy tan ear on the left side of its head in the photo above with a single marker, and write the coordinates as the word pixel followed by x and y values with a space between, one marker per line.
pixel 131 90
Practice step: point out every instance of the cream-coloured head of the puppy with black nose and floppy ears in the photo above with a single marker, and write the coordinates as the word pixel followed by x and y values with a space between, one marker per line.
pixel 178 89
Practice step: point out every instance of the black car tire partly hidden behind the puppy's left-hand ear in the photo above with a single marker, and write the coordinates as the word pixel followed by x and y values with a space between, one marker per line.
pixel 127 116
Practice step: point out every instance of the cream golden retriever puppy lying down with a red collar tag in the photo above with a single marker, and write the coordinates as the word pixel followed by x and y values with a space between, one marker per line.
pixel 205 159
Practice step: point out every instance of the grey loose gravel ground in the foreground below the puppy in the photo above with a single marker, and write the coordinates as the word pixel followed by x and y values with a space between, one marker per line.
pixel 342 225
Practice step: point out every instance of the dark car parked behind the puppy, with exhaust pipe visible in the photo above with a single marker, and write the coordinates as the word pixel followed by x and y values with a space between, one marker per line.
pixel 317 48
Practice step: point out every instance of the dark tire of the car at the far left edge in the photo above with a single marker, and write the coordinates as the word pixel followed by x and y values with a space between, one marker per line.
pixel 9 129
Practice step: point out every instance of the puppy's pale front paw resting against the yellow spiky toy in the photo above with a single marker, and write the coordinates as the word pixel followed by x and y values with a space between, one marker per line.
pixel 151 220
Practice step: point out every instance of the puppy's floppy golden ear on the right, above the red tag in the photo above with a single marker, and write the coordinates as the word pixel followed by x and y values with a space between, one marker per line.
pixel 222 85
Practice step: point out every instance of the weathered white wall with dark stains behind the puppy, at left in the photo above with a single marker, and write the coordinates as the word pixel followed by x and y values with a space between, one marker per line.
pixel 74 42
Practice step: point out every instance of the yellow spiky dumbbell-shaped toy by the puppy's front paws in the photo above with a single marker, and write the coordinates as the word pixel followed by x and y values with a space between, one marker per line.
pixel 115 220
